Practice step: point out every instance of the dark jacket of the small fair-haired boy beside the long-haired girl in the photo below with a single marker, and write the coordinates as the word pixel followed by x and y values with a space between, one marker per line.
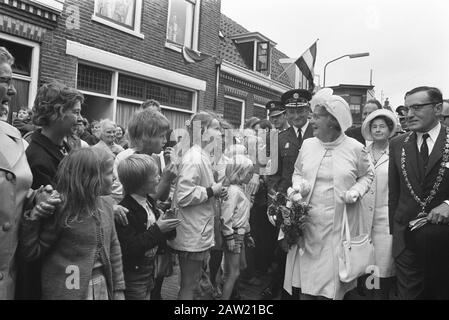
pixel 135 239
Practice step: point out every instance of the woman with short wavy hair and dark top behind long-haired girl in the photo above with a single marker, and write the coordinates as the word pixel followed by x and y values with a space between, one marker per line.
pixel 56 110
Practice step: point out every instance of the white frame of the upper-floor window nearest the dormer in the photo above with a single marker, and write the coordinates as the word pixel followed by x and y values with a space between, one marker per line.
pixel 194 29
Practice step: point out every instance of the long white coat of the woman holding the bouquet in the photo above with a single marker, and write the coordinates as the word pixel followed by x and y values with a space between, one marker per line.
pixel 351 171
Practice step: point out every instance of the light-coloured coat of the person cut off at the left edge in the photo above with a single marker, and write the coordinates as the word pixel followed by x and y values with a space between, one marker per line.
pixel 15 182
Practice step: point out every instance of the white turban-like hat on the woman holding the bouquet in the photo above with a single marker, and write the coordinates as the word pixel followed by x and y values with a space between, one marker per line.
pixel 335 105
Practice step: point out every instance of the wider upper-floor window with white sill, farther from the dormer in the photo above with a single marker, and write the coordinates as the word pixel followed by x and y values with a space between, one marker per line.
pixel 124 15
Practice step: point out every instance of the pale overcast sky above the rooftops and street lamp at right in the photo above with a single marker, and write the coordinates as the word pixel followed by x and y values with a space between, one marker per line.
pixel 408 41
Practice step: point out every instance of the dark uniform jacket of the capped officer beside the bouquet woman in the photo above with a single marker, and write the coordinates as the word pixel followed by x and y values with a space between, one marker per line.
pixel 288 149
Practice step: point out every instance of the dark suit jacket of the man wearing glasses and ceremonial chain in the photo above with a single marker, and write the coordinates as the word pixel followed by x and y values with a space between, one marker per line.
pixel 402 206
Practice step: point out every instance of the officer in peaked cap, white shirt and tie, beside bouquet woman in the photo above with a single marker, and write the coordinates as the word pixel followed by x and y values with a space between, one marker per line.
pixel 297 110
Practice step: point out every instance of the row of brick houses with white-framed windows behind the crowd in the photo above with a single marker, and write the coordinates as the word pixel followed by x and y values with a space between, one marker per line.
pixel 122 52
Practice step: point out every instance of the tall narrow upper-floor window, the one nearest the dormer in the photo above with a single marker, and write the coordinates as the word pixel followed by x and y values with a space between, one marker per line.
pixel 183 23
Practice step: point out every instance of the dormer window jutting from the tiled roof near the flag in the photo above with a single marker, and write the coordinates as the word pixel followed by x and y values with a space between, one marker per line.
pixel 255 50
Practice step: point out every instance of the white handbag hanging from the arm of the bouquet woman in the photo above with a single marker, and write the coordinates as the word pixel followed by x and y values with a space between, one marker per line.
pixel 355 254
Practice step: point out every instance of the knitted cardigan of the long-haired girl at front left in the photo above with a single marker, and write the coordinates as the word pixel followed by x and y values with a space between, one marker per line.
pixel 76 246
